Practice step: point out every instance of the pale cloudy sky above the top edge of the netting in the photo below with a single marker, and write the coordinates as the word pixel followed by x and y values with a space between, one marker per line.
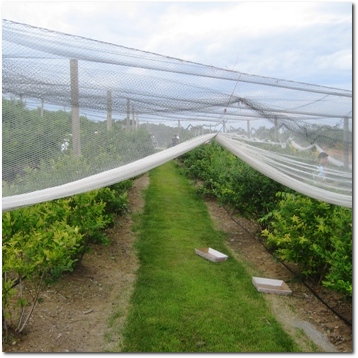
pixel 301 41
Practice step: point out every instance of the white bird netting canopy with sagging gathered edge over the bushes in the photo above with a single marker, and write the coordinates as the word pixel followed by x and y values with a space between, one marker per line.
pixel 79 114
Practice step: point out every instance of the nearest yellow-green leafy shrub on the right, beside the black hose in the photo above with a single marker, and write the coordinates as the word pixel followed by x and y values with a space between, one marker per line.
pixel 315 235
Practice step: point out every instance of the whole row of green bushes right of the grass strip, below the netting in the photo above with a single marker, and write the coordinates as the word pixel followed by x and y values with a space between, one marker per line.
pixel 313 234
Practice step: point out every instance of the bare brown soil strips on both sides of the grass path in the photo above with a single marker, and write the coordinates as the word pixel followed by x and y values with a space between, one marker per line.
pixel 86 310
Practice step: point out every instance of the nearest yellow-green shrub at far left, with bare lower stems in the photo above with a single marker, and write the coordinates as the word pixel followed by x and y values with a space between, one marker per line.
pixel 36 249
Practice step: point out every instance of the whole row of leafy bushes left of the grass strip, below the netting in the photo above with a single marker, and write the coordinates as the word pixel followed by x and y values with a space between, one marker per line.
pixel 43 241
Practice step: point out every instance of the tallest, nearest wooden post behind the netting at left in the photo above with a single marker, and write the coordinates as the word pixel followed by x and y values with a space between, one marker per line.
pixel 75 108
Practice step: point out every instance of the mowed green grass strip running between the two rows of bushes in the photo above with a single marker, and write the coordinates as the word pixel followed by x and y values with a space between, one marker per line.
pixel 183 302
